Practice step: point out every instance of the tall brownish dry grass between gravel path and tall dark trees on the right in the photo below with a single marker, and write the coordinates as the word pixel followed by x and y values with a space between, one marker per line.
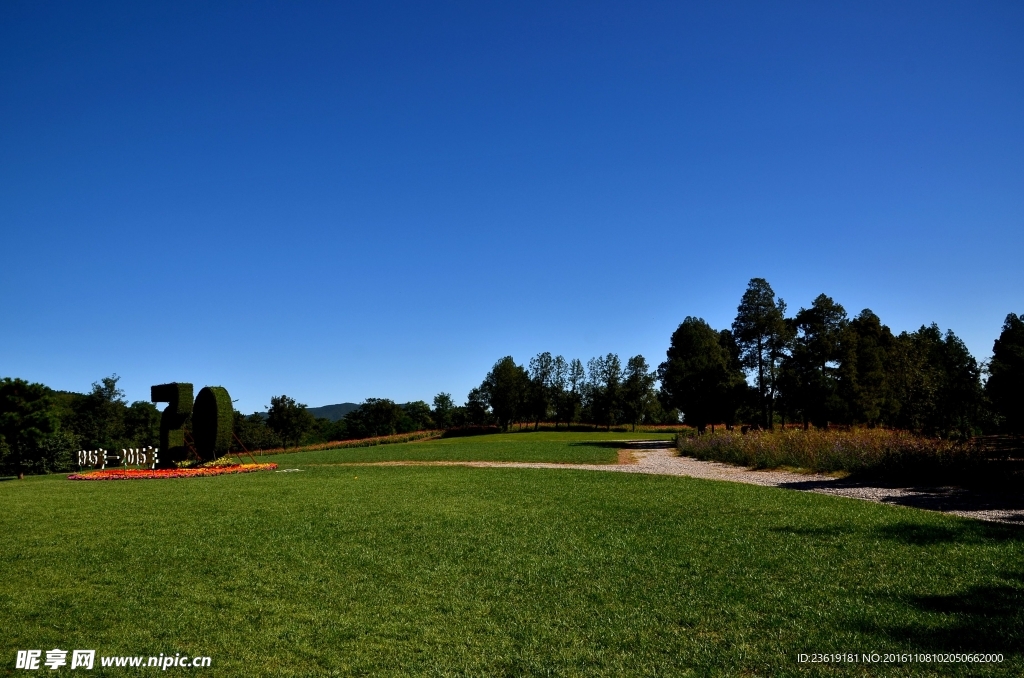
pixel 855 451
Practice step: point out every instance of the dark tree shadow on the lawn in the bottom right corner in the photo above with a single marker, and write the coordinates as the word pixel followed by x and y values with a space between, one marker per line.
pixel 979 619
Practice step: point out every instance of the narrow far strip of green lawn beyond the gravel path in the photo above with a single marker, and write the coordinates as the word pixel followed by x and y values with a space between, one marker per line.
pixel 526 447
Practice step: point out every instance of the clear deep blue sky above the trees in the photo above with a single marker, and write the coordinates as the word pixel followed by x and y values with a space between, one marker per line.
pixel 337 201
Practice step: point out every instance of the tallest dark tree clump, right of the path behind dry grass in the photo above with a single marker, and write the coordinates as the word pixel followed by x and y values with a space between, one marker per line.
pixel 821 367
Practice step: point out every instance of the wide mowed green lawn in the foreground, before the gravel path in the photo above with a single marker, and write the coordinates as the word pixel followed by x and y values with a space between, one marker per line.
pixel 494 572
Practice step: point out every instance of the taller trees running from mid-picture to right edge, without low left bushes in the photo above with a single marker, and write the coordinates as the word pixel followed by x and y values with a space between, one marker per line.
pixel 818 367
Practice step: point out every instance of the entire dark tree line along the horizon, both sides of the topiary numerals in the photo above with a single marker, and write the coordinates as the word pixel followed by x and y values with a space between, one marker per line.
pixel 818 367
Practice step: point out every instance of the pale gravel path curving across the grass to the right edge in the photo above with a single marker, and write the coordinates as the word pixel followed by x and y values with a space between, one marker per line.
pixel 980 506
